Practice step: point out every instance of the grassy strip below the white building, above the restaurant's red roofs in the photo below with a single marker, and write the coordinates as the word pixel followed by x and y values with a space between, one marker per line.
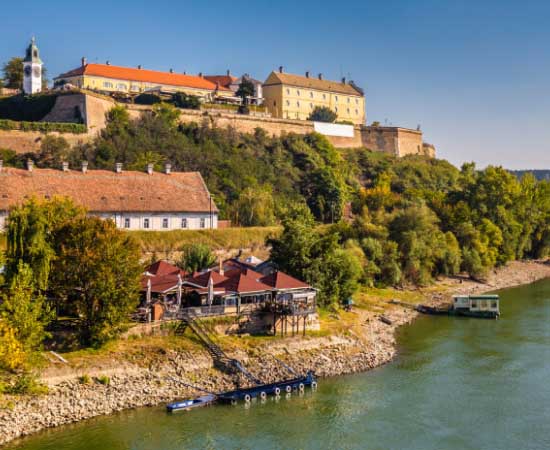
pixel 224 238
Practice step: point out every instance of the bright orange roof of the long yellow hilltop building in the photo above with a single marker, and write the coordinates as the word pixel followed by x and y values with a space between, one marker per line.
pixel 142 75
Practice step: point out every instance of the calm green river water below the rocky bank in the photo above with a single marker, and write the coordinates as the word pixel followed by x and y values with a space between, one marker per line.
pixel 457 384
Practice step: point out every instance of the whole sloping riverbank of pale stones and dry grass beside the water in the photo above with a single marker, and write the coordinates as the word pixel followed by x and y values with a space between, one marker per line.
pixel 92 385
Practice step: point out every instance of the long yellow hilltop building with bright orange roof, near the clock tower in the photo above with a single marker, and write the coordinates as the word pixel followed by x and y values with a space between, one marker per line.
pixel 108 78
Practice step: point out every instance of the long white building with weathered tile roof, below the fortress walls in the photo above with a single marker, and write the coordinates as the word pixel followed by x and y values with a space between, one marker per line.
pixel 151 201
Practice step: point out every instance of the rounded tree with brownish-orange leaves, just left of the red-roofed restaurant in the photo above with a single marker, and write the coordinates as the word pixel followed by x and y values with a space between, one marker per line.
pixel 97 270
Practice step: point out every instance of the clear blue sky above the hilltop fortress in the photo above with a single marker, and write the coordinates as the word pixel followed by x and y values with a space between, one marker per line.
pixel 475 75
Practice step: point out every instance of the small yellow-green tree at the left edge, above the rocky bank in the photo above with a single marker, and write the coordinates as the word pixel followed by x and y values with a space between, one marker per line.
pixel 24 311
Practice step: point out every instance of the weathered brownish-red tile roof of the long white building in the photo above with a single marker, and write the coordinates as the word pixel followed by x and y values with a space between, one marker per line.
pixel 106 191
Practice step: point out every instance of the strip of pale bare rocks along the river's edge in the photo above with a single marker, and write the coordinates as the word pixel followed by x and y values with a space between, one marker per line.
pixel 71 399
